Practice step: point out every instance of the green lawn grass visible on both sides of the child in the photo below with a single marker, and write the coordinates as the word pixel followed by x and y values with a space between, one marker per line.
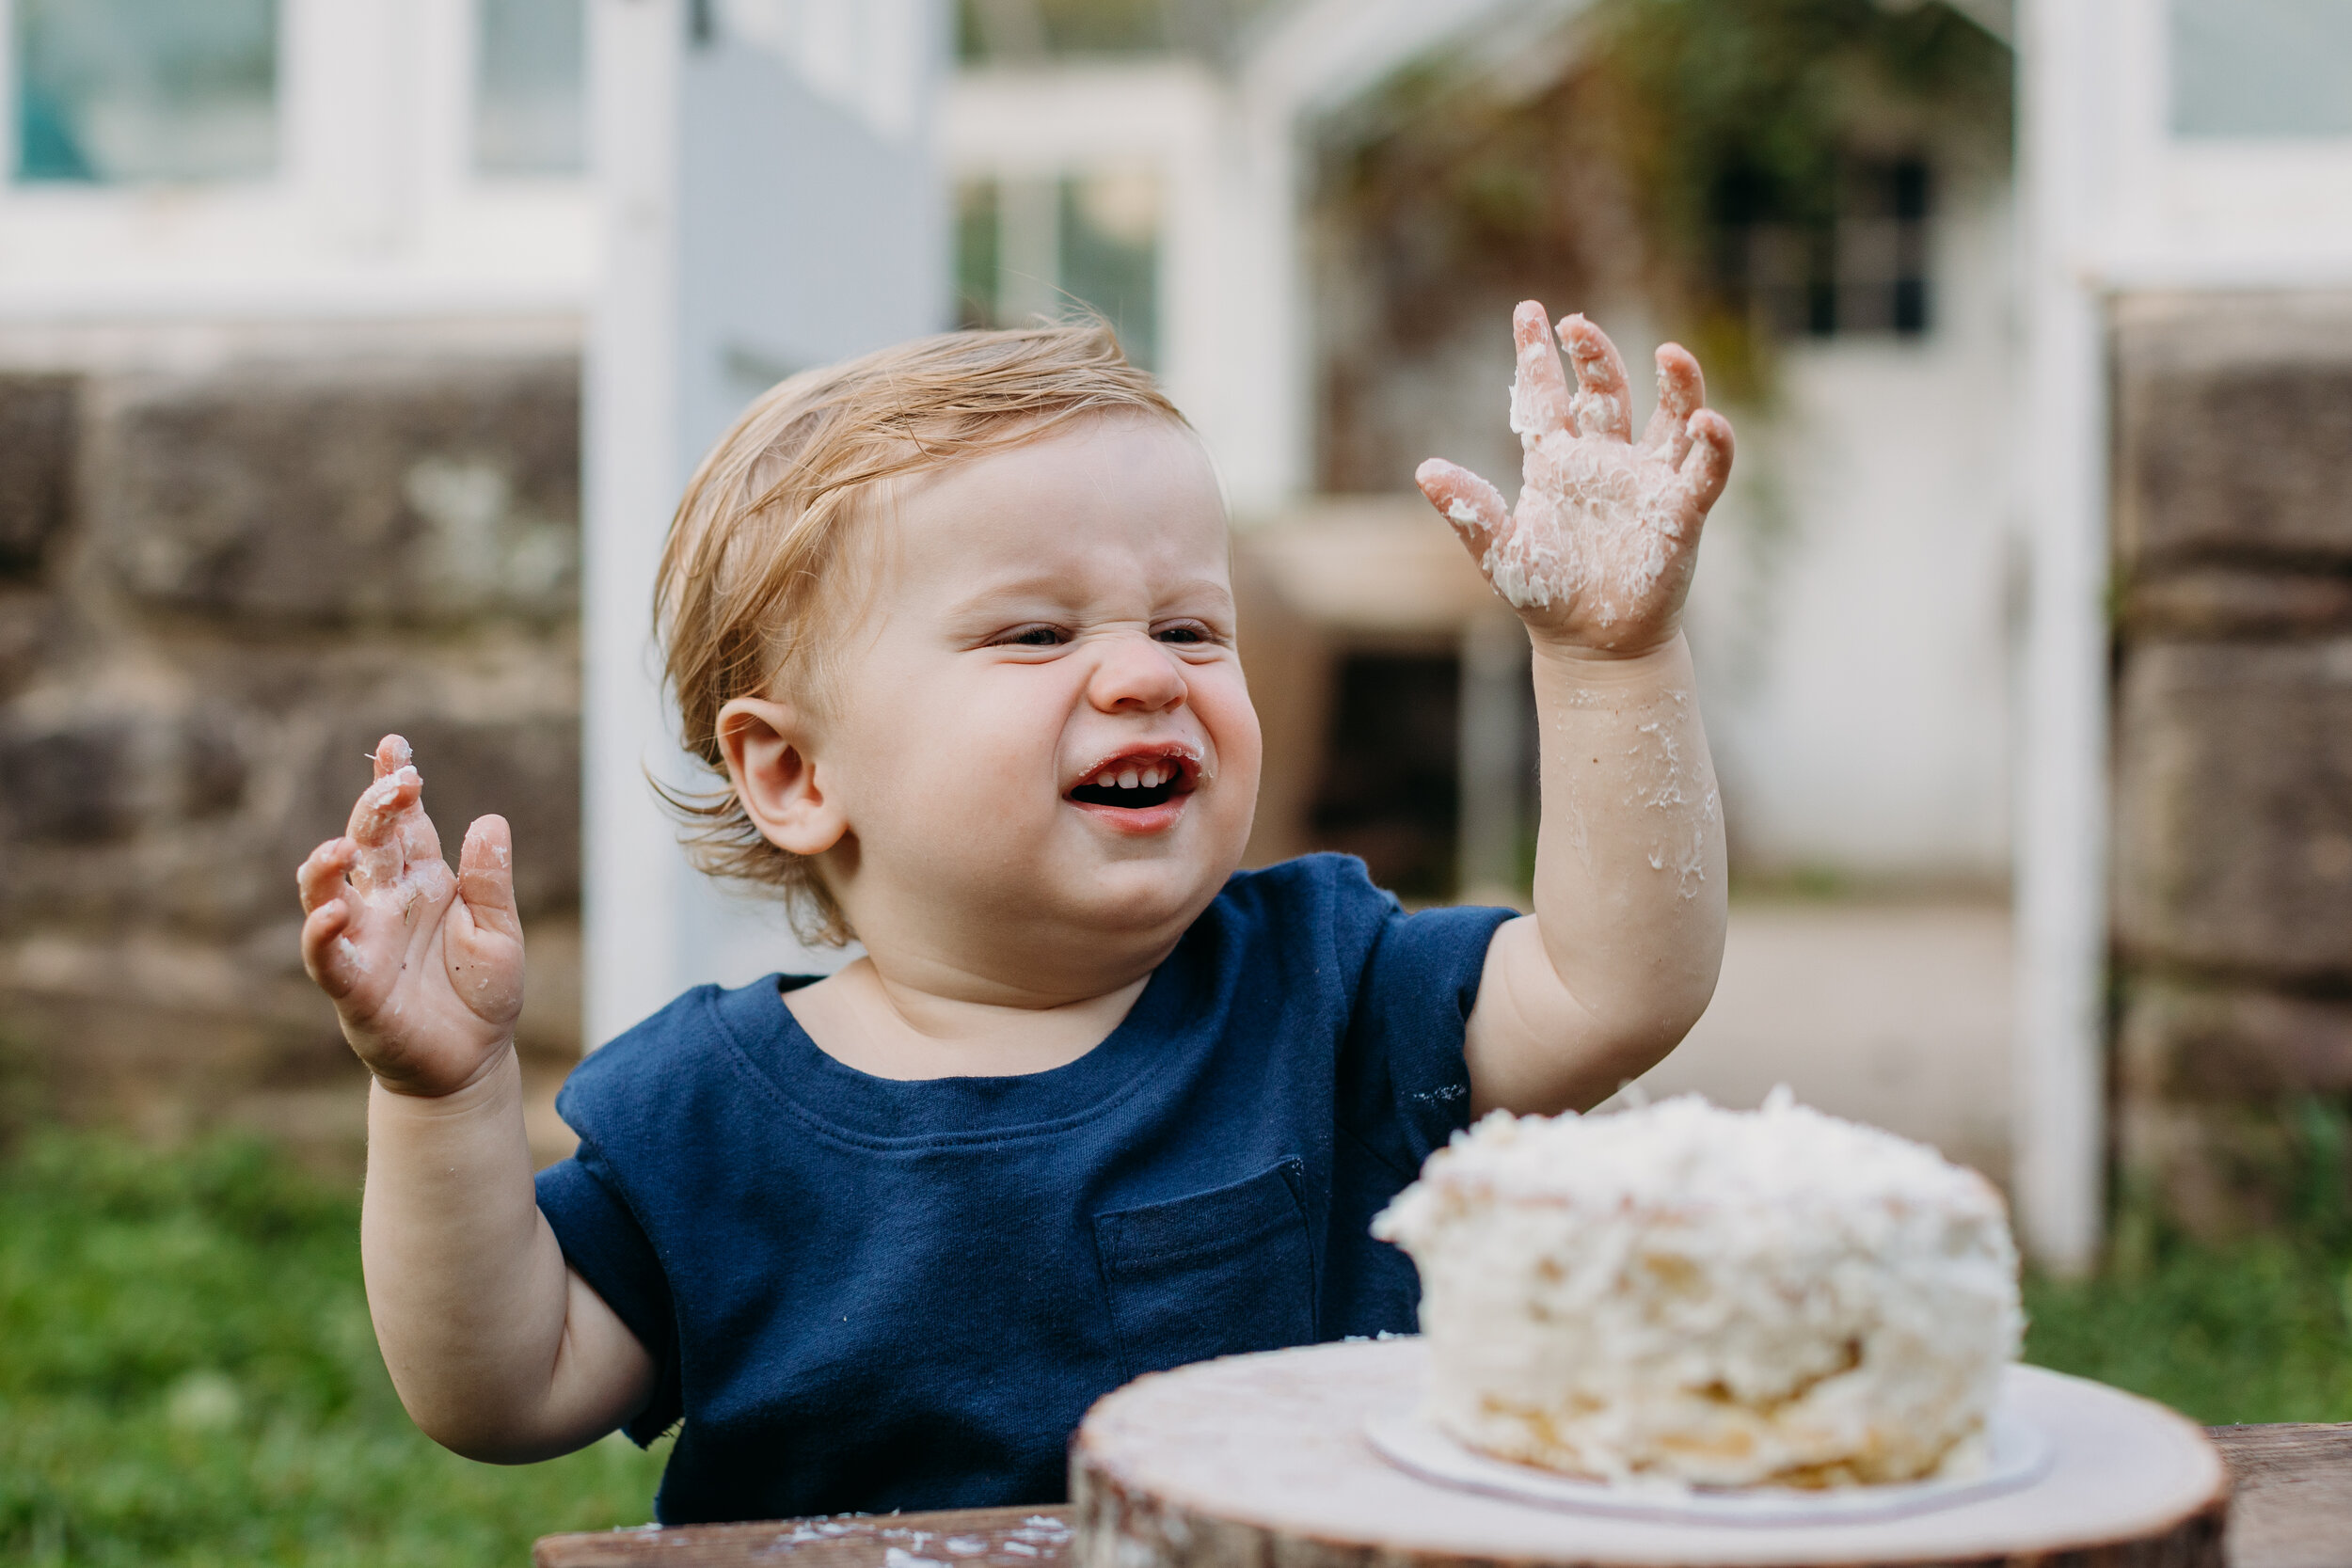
pixel 187 1372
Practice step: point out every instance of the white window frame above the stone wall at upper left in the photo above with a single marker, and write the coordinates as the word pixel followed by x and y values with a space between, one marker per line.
pixel 375 208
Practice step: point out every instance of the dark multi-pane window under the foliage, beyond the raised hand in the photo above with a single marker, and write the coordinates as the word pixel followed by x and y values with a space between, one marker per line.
pixel 1852 272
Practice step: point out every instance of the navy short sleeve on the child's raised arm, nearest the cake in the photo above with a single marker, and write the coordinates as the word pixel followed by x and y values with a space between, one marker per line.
pixel 1405 1085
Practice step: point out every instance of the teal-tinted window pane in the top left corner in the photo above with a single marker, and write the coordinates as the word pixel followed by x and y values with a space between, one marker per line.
pixel 147 91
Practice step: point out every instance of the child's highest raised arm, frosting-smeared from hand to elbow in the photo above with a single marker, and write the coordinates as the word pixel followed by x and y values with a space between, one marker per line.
pixel 1629 932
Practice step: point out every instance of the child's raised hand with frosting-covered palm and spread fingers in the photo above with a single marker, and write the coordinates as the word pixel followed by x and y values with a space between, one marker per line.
pixel 1605 537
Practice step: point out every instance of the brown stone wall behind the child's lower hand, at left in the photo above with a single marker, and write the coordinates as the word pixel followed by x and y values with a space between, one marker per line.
pixel 218 591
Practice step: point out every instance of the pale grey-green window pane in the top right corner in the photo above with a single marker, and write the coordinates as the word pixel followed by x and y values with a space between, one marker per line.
pixel 2261 67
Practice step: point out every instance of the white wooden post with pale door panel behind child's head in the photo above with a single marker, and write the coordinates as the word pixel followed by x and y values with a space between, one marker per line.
pixel 768 206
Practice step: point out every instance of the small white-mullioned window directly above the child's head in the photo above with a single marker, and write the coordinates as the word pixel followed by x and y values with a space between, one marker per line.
pixel 1031 248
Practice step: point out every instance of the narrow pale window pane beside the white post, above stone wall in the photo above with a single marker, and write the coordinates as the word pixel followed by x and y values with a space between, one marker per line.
pixel 528 105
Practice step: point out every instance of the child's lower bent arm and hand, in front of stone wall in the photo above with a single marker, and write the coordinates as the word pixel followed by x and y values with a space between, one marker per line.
pixel 495 1346
